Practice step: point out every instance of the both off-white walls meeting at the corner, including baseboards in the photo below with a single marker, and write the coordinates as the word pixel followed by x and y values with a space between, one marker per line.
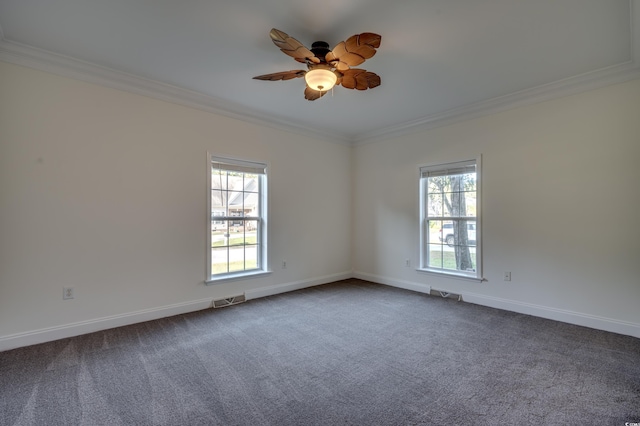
pixel 104 191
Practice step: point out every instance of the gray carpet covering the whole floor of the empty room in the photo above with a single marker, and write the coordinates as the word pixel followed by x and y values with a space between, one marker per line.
pixel 348 353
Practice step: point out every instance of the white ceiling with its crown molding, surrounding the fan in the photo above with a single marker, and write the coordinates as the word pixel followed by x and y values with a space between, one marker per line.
pixel 439 60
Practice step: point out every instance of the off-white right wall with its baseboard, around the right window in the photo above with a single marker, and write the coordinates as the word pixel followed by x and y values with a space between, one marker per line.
pixel 561 207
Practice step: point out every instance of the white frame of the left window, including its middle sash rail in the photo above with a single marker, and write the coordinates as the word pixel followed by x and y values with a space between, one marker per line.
pixel 235 164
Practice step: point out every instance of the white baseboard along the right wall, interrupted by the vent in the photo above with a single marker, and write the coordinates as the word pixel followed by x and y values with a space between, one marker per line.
pixel 576 318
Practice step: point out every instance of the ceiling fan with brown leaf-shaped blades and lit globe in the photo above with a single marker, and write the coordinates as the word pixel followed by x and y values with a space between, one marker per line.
pixel 325 67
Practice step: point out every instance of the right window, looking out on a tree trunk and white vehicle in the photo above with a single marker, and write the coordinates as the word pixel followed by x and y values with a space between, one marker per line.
pixel 450 219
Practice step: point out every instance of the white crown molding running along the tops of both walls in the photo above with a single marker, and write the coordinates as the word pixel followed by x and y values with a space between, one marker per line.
pixel 70 67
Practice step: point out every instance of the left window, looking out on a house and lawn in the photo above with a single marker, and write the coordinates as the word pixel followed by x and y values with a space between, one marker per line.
pixel 237 208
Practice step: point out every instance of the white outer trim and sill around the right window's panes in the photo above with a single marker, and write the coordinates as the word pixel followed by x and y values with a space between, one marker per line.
pixel 477 275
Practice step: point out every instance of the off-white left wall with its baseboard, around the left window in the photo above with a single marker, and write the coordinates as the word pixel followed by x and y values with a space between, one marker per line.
pixel 105 191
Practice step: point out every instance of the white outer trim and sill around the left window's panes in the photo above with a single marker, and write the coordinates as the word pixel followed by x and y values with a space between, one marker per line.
pixel 264 200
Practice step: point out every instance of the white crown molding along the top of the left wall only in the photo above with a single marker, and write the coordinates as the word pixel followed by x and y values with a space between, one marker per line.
pixel 66 66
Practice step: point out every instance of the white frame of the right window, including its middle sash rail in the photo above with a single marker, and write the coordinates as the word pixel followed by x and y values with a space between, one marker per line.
pixel 425 217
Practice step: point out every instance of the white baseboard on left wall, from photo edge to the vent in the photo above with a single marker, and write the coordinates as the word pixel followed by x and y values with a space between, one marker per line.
pixel 83 327
